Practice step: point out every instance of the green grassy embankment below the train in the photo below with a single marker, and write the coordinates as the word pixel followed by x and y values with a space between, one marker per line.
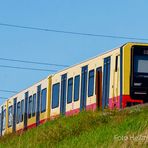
pixel 125 128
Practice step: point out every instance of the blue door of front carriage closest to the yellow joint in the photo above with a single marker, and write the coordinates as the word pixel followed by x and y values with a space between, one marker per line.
pixel 63 94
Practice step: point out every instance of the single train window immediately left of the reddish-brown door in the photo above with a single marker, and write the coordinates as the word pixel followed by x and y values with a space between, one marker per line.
pixel 91 83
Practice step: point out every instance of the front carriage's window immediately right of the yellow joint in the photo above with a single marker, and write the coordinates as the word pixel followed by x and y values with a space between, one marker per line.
pixel 55 95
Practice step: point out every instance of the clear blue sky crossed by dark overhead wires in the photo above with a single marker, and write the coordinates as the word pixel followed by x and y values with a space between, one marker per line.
pixel 117 17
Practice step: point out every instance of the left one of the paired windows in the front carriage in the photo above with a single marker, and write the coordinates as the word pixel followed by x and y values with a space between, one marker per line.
pixel 70 88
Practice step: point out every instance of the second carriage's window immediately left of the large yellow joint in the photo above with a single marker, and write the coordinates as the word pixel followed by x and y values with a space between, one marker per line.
pixel 43 100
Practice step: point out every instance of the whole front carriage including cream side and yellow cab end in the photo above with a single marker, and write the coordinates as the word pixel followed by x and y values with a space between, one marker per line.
pixel 115 79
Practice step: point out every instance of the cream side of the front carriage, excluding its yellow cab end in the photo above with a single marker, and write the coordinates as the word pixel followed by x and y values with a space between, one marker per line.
pixel 80 87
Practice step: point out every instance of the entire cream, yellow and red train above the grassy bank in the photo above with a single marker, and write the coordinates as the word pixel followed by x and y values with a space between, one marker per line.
pixel 115 79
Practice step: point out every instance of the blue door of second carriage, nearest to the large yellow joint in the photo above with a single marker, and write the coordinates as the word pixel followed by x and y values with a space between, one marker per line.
pixel 38 105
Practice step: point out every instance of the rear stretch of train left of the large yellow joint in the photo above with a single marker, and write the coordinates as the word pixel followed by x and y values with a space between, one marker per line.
pixel 28 108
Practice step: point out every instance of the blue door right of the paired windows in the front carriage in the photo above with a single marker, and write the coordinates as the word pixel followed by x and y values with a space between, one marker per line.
pixel 84 74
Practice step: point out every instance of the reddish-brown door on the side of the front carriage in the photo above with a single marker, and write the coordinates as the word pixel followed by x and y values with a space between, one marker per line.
pixel 99 87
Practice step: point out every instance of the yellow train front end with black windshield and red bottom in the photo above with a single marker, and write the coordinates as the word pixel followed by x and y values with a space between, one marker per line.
pixel 134 74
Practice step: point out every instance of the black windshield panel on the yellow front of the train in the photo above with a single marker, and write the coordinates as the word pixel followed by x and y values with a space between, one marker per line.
pixel 139 73
